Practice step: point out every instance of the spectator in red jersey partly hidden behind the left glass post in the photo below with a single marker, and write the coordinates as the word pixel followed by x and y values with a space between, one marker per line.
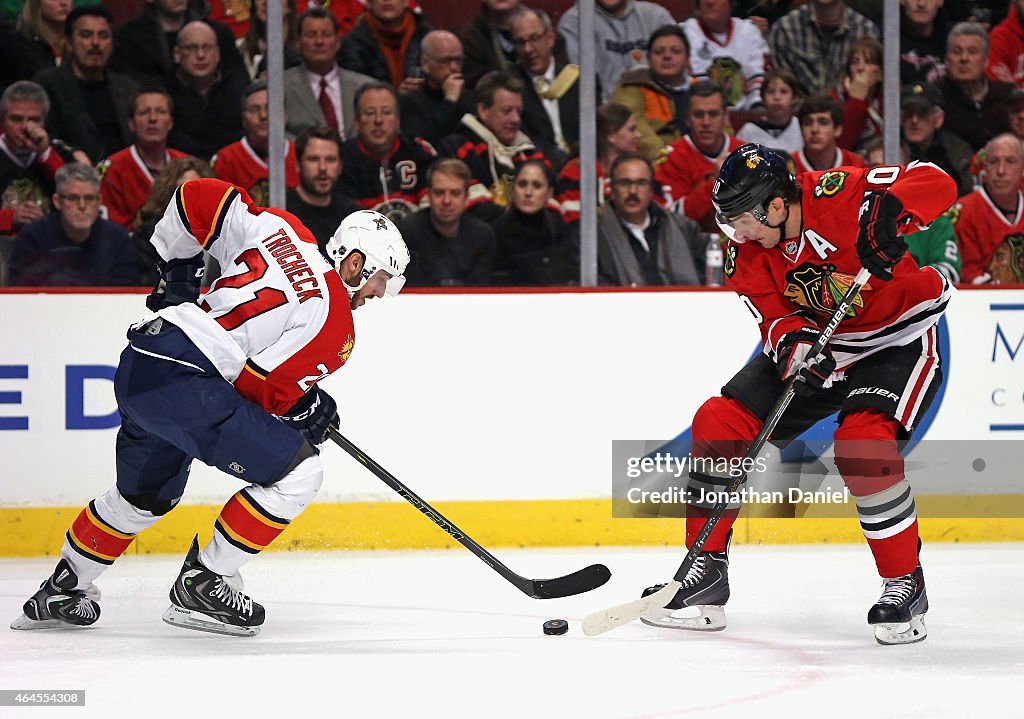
pixel 244 163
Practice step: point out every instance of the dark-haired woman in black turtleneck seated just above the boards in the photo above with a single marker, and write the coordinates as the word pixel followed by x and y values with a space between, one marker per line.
pixel 534 245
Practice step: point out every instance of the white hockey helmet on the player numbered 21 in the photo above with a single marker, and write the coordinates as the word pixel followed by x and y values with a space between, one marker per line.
pixel 379 241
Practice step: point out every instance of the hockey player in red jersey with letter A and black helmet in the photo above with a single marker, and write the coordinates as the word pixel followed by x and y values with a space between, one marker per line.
pixel 796 245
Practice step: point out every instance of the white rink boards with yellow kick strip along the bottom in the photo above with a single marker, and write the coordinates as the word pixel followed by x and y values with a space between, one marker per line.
pixel 499 408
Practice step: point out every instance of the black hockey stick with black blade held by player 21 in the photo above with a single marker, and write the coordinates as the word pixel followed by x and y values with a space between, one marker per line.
pixel 579 582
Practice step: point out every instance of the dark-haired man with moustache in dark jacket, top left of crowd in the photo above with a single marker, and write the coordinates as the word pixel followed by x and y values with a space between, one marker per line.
pixel 90 107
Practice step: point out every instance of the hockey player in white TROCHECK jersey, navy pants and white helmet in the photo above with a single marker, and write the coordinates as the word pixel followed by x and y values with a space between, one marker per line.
pixel 231 380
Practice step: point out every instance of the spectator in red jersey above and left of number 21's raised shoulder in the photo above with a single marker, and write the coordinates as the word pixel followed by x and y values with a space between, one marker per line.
pixel 127 176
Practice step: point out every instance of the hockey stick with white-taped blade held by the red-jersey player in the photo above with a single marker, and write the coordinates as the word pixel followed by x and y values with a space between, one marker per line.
pixel 607 620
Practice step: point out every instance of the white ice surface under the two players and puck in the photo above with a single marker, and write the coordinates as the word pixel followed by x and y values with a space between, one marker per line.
pixel 439 635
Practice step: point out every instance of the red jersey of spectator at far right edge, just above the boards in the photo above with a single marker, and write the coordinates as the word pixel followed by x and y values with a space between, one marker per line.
pixel 980 228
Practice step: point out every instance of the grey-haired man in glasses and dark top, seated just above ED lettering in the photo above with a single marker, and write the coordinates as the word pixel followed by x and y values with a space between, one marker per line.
pixel 74 247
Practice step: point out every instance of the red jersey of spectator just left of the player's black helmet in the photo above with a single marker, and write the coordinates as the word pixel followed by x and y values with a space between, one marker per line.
pixel 688 177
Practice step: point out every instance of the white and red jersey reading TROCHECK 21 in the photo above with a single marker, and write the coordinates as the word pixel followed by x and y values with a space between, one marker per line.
pixel 279 319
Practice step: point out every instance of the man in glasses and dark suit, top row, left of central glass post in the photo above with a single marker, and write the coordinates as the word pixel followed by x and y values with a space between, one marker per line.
pixel 551 96
